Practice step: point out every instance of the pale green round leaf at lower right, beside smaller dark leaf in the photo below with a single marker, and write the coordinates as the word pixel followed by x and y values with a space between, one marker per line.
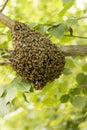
pixel 79 101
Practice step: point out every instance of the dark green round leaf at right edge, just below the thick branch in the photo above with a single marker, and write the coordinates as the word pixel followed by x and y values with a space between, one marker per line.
pixel 81 78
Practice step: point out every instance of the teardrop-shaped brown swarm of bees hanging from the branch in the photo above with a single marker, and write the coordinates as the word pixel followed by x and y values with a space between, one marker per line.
pixel 34 57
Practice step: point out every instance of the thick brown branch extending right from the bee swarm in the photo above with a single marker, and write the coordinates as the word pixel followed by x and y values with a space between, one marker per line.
pixel 74 50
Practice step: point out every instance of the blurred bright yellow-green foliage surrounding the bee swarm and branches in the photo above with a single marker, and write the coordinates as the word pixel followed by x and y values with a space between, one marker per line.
pixel 62 104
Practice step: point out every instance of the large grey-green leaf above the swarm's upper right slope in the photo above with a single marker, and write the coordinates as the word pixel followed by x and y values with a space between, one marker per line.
pixel 58 31
